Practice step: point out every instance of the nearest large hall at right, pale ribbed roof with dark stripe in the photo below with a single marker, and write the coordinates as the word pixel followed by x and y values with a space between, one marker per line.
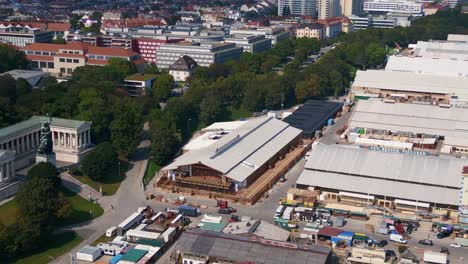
pixel 368 177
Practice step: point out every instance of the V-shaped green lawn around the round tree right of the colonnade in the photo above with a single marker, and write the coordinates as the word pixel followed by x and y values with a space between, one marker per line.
pixel 111 182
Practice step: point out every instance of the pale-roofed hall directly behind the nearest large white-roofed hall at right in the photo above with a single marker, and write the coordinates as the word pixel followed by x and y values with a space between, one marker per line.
pixel 413 121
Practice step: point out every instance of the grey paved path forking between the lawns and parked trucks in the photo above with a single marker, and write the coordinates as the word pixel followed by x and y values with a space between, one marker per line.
pixel 125 201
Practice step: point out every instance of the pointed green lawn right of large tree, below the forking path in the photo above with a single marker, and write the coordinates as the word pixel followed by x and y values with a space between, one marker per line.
pixel 81 209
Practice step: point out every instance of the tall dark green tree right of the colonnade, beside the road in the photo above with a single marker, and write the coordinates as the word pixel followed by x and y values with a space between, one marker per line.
pixel 126 127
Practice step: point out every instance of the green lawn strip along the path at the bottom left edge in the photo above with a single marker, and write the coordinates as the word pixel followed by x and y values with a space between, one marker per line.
pixel 56 246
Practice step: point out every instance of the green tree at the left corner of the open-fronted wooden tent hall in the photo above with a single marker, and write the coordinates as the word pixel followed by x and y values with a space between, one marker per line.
pixel 164 143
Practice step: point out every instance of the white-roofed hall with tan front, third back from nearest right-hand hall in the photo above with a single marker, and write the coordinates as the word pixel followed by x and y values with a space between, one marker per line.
pixel 409 86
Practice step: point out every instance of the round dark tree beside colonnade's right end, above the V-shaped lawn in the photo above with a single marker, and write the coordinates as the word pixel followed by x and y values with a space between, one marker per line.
pixel 98 162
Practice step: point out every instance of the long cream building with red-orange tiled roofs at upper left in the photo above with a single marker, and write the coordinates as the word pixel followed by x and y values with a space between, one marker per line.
pixel 61 59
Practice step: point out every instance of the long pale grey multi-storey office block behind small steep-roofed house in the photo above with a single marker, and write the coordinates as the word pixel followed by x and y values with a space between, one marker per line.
pixel 204 54
